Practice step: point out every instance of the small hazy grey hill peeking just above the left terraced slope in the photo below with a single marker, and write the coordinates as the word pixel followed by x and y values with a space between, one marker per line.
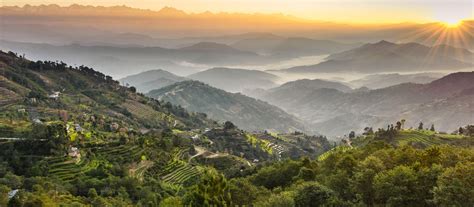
pixel 152 79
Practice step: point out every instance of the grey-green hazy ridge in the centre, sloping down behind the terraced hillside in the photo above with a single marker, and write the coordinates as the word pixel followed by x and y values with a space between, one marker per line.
pixel 247 113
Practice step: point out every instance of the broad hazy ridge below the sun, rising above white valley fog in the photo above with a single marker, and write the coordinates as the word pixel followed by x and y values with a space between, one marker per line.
pixel 385 56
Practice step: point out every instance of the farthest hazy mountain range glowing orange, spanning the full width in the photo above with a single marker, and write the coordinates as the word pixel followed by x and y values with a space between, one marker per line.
pixel 172 27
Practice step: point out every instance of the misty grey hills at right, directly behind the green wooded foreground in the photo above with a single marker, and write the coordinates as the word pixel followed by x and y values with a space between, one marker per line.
pixel 447 102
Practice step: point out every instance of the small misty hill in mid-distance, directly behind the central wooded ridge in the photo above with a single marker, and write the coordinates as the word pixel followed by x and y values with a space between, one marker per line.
pixel 235 80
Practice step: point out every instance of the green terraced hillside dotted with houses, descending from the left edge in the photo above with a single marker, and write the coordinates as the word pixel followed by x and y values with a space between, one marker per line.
pixel 73 136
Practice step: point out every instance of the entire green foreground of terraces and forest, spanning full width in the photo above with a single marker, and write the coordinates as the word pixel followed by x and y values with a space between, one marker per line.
pixel 72 136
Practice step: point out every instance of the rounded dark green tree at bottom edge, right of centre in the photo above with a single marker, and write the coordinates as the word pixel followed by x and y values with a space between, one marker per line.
pixel 314 194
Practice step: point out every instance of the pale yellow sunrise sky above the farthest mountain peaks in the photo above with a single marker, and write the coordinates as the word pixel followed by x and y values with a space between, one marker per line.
pixel 353 11
